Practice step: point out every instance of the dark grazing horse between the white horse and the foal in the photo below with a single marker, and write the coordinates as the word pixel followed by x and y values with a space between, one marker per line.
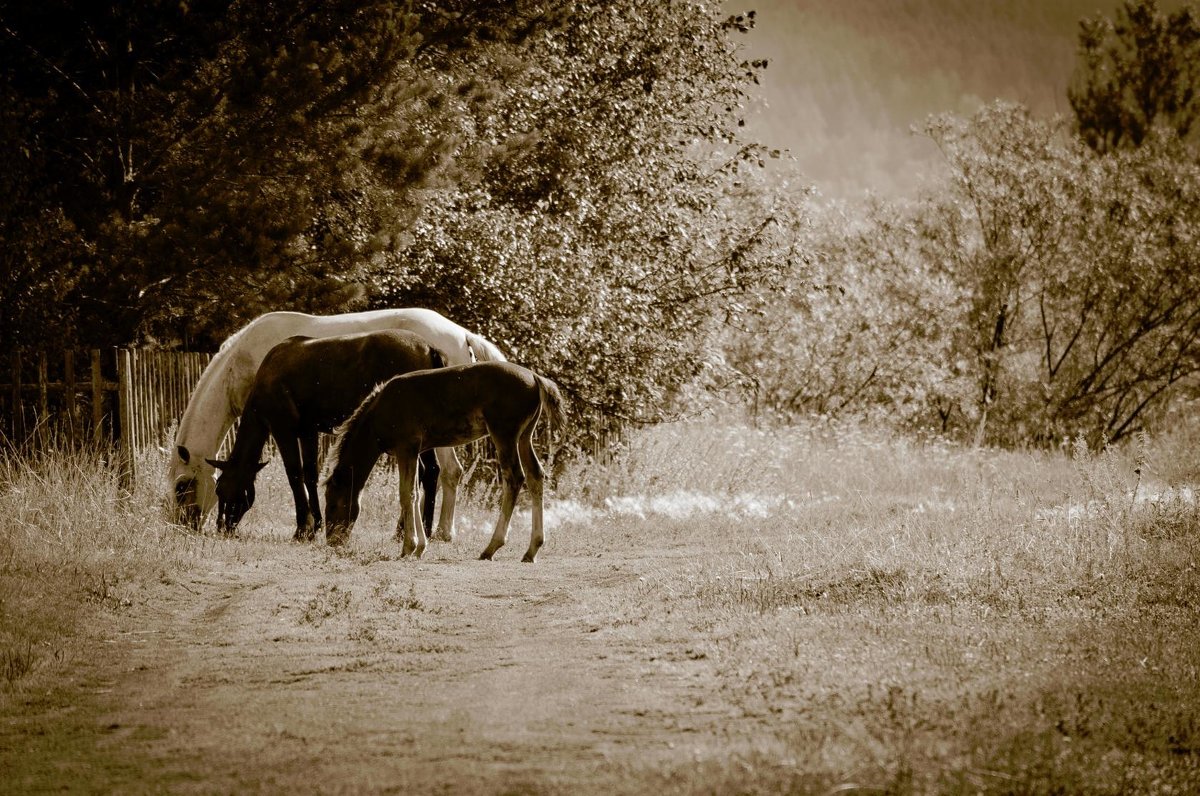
pixel 307 386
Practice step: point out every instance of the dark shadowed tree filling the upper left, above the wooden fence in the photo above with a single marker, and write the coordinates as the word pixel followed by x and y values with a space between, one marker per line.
pixel 199 163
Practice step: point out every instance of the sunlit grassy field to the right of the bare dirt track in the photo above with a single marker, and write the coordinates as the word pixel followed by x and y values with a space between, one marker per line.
pixel 919 618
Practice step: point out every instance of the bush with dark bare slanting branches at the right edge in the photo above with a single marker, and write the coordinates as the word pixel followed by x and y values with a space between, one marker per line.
pixel 1084 294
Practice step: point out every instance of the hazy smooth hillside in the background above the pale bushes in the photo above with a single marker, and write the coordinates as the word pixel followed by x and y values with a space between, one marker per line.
pixel 848 81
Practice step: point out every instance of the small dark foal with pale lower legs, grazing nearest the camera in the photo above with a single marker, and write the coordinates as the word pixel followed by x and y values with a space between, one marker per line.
pixel 452 406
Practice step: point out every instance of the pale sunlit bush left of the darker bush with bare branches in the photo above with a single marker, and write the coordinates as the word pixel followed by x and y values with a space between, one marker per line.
pixel 865 331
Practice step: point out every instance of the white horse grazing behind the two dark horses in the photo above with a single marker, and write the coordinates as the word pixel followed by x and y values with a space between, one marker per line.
pixel 221 396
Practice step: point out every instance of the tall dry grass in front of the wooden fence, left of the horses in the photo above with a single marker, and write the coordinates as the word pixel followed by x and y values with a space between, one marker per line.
pixel 73 540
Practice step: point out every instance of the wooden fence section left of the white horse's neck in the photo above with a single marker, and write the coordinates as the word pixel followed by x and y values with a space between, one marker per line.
pixel 127 397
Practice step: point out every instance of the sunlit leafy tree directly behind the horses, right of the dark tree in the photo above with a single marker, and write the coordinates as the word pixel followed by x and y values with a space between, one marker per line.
pixel 611 228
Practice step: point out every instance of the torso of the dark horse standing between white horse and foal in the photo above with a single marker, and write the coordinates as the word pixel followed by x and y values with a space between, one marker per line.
pixel 319 382
